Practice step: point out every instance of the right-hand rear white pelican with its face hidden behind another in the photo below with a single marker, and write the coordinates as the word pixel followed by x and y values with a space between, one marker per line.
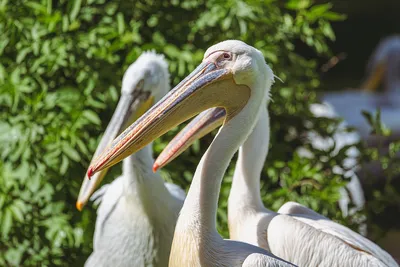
pixel 305 237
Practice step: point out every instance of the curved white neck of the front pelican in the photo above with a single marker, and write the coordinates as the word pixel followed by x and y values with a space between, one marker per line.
pixel 200 208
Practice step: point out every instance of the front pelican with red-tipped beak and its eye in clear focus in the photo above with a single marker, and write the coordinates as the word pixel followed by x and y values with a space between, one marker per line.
pixel 233 75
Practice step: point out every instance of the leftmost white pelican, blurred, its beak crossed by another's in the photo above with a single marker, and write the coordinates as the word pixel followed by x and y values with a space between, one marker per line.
pixel 137 215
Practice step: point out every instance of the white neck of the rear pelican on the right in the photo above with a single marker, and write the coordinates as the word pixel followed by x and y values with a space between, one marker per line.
pixel 245 191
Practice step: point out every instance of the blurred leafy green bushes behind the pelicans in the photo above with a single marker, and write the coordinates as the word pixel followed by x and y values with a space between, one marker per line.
pixel 61 65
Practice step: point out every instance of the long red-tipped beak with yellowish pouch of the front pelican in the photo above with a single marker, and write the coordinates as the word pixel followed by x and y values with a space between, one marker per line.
pixel 207 86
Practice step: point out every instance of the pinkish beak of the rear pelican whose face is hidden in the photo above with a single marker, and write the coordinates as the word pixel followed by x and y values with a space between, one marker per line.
pixel 203 124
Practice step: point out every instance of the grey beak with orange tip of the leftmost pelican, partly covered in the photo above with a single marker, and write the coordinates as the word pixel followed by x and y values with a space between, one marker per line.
pixel 129 108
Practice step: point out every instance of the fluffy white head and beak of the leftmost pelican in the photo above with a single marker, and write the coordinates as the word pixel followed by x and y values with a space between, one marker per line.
pixel 145 82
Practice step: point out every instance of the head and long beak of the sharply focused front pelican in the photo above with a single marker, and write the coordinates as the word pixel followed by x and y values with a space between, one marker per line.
pixel 231 74
